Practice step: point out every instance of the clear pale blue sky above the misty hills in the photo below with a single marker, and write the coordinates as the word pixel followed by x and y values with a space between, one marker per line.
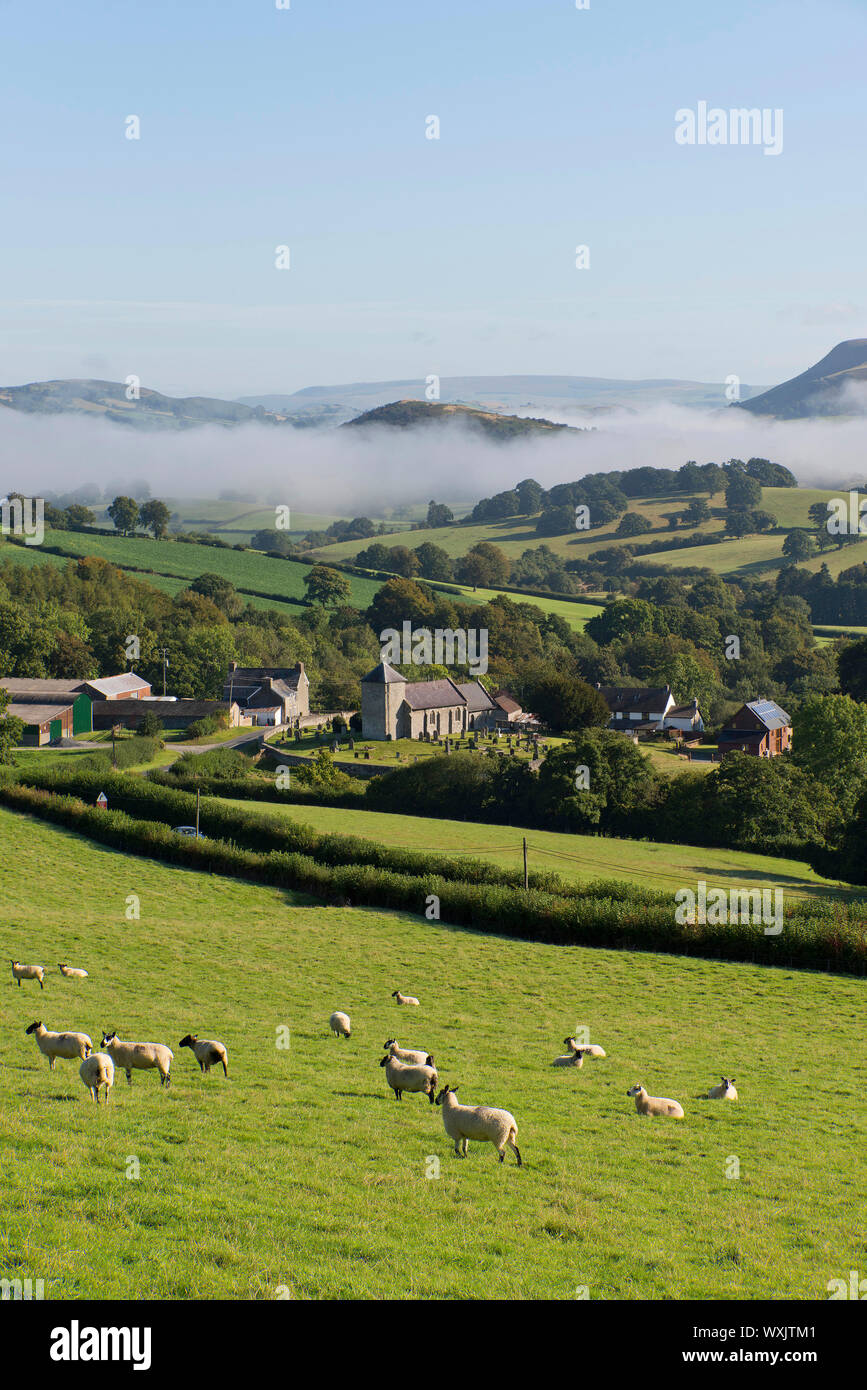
pixel 412 256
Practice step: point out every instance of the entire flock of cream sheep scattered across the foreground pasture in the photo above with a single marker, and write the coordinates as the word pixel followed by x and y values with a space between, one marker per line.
pixel 406 1070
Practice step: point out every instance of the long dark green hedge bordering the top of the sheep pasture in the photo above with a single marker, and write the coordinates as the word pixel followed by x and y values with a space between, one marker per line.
pixel 825 943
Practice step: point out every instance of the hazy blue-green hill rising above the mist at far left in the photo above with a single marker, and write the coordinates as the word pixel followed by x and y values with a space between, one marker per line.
pixel 108 400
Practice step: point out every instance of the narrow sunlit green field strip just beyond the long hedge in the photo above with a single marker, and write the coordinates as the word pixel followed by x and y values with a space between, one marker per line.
pixel 577 858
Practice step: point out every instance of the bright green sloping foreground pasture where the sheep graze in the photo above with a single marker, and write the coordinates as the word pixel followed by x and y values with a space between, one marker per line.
pixel 299 1172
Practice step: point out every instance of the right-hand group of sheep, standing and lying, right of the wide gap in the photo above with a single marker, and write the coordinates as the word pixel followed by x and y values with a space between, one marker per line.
pixel 415 1070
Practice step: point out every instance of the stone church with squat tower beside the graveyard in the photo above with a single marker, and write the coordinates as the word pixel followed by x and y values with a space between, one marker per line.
pixel 397 708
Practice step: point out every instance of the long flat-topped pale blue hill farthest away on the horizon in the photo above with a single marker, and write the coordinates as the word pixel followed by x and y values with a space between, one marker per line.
pixel 541 395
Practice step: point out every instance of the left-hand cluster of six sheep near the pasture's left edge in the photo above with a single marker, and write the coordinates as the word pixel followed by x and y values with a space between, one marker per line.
pixel 97 1070
